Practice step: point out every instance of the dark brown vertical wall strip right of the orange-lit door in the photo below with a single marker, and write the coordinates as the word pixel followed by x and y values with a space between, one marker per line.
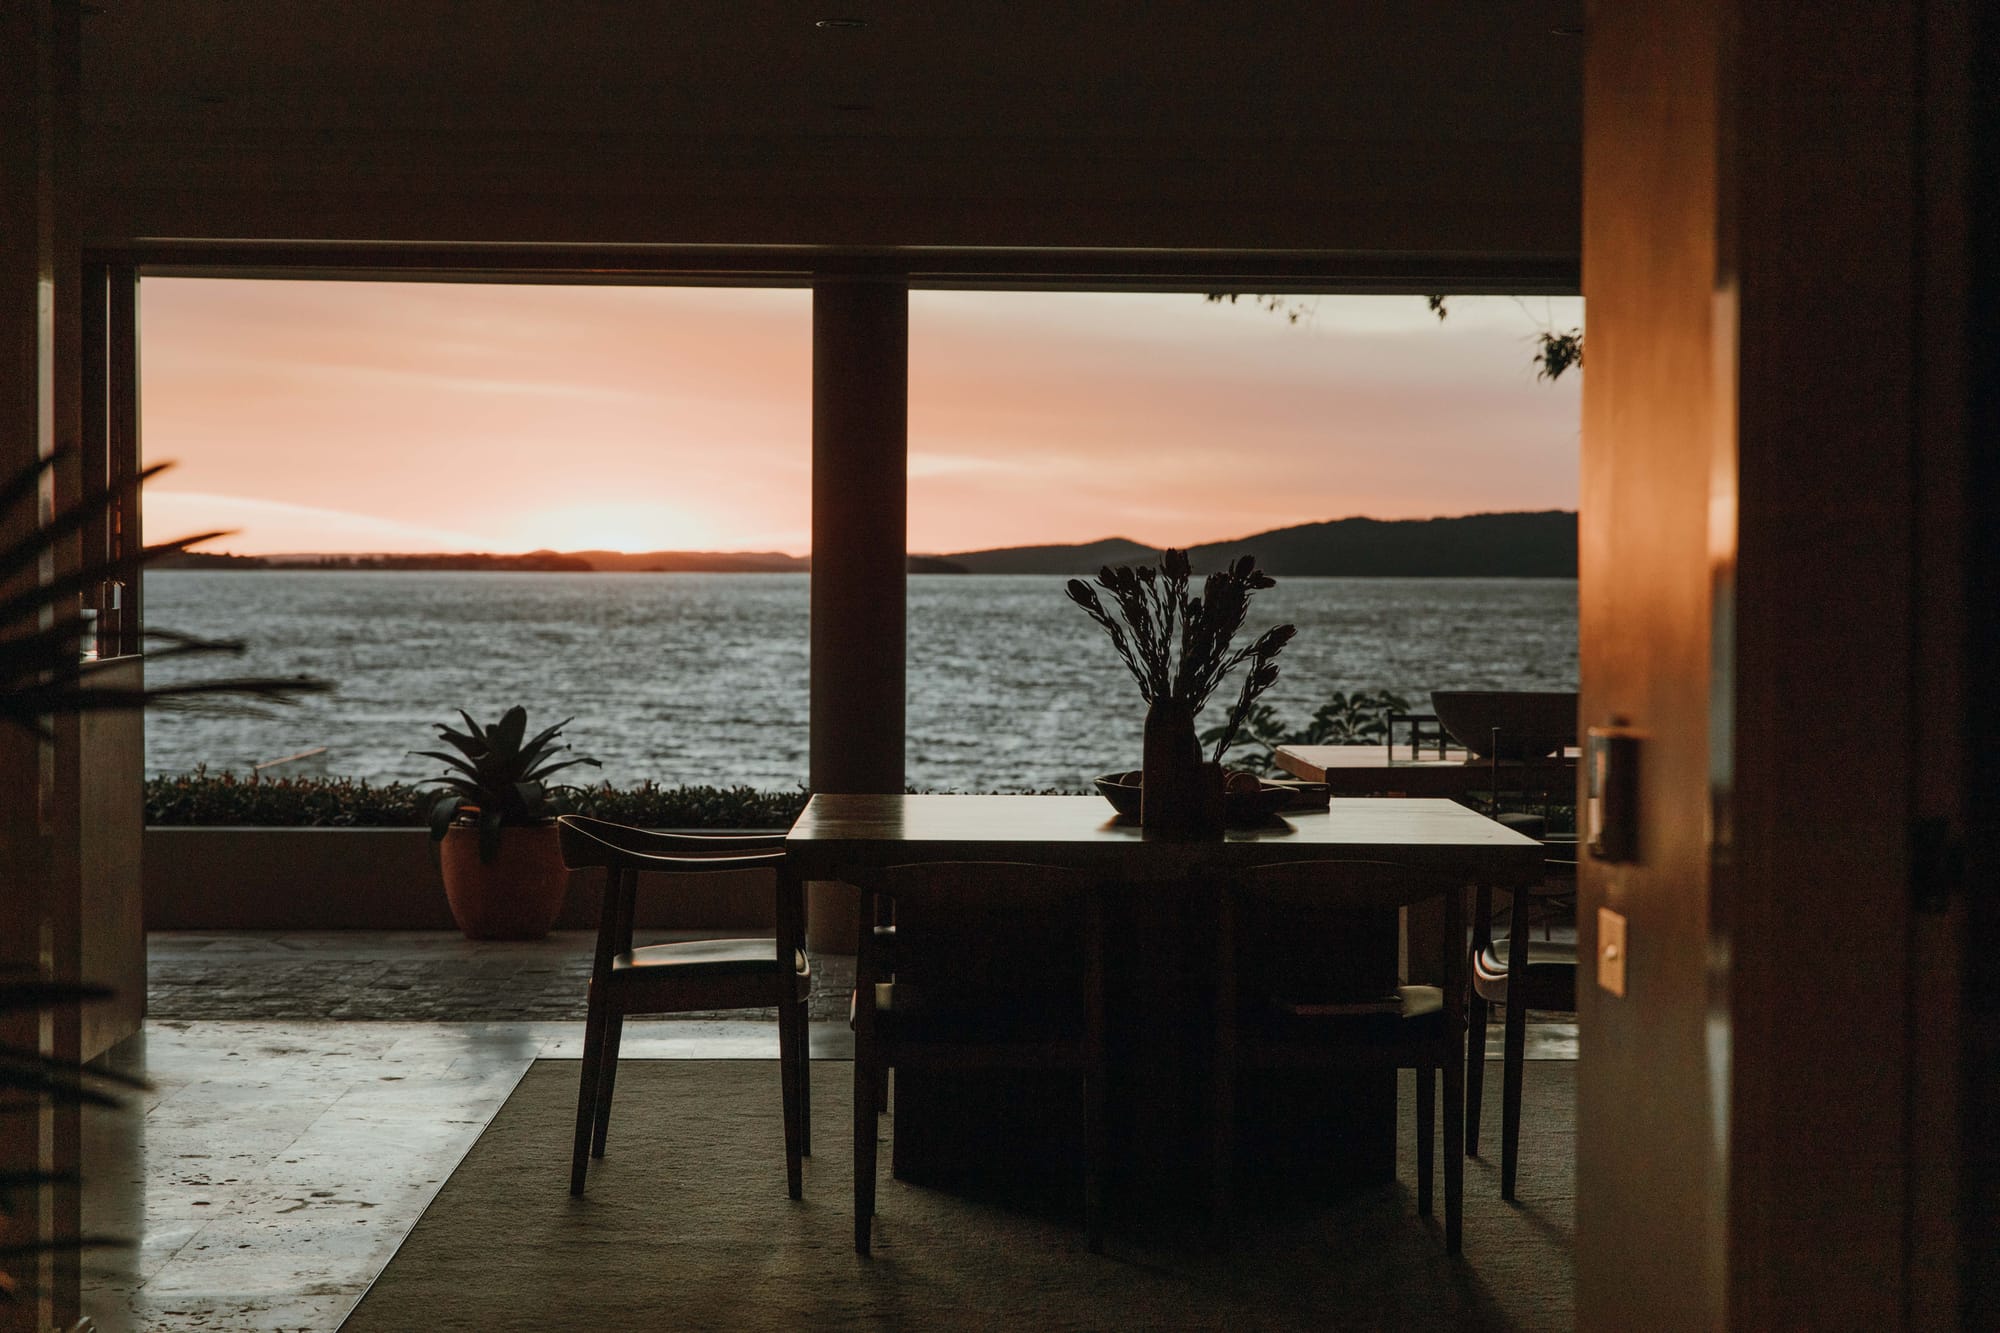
pixel 1835 437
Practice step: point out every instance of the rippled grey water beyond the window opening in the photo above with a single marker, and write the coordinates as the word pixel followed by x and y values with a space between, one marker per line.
pixel 703 678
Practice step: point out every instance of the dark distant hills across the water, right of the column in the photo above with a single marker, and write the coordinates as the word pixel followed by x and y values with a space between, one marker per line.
pixel 1521 545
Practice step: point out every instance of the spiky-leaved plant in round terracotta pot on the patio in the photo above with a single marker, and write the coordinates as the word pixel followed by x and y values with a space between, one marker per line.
pixel 495 820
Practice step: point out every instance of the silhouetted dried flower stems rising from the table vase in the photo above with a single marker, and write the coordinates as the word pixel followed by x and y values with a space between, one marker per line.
pixel 1159 617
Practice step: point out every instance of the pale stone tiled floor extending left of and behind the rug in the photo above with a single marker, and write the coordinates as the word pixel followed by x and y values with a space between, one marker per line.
pixel 277 1164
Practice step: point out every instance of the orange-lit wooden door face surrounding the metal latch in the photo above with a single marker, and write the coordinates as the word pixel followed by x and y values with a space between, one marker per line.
pixel 1649 1212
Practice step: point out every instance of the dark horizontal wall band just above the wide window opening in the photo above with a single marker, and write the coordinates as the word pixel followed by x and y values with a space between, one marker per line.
pixel 541 189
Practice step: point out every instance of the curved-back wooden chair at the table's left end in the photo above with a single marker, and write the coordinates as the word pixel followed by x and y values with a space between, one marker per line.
pixel 693 976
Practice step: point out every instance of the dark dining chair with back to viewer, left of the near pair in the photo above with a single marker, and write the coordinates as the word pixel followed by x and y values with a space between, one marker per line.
pixel 935 1010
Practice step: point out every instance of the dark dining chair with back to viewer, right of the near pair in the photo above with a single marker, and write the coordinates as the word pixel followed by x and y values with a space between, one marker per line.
pixel 1283 1020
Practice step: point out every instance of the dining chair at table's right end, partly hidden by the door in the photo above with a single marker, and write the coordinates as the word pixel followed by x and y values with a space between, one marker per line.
pixel 1529 974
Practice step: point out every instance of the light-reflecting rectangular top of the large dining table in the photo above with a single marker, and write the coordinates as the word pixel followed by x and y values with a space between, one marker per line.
pixel 1085 832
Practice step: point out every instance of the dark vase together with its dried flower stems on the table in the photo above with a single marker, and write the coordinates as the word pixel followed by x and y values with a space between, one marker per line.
pixel 1179 651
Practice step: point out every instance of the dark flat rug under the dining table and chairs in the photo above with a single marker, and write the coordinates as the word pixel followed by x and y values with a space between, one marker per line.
pixel 687 1224
